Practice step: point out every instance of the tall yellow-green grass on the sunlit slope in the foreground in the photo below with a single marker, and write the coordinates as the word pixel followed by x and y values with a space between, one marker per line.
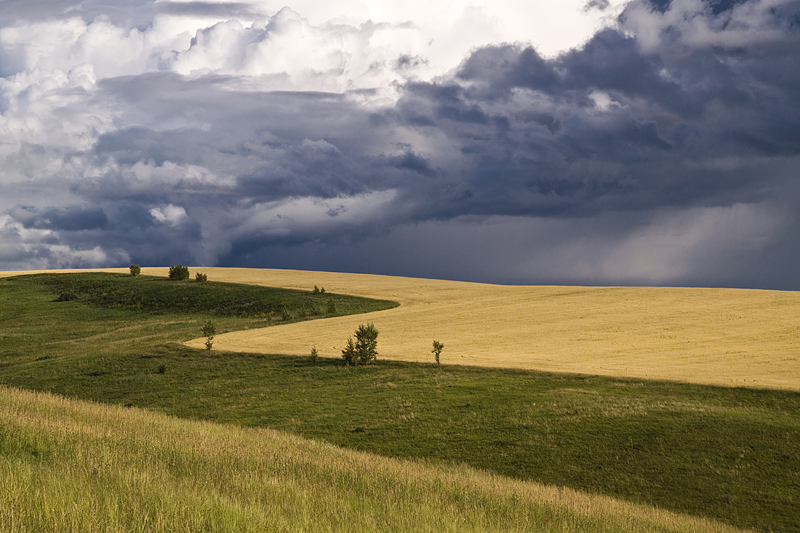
pixel 67 465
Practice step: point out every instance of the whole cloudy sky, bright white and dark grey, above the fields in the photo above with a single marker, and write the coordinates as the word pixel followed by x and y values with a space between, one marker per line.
pixel 579 142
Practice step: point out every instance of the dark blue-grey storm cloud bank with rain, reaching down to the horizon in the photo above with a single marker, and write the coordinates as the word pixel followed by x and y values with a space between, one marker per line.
pixel 652 136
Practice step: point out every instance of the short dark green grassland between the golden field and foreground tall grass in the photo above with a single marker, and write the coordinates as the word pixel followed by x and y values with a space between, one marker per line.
pixel 725 453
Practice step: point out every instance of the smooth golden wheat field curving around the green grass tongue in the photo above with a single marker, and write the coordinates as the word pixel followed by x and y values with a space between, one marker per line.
pixel 729 337
